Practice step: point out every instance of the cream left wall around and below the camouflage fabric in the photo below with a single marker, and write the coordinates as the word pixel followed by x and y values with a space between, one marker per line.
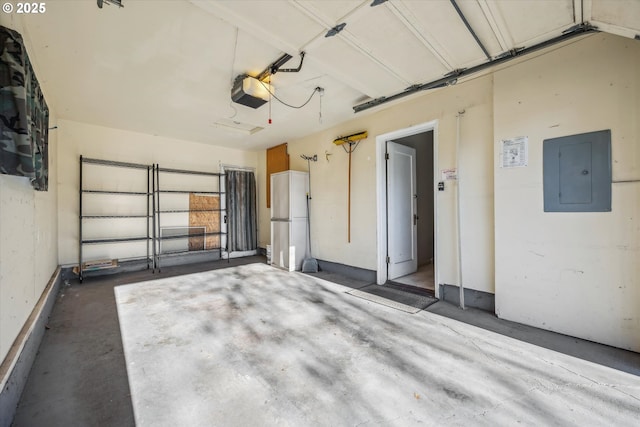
pixel 28 230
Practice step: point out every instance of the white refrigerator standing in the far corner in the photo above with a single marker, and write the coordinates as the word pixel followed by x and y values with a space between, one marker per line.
pixel 289 233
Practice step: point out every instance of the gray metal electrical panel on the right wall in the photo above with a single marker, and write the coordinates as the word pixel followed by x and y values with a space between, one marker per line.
pixel 577 173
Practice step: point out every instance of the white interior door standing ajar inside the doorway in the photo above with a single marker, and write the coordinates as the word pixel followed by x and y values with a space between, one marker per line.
pixel 401 210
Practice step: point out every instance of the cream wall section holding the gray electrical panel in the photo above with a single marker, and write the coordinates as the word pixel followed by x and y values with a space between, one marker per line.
pixel 574 273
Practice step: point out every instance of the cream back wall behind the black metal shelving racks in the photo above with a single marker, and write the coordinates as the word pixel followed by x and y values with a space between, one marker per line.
pixel 98 142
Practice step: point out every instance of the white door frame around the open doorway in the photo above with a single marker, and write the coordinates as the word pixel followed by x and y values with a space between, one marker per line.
pixel 381 195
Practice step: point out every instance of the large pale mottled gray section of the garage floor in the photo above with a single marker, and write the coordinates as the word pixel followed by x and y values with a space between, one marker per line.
pixel 254 345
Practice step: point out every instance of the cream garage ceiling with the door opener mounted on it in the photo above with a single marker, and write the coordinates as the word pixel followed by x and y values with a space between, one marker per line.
pixel 166 67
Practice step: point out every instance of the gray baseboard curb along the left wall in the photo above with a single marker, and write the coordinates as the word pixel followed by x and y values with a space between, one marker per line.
pixel 14 370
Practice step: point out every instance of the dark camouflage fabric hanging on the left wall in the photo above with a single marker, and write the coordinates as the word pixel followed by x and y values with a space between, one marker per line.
pixel 24 115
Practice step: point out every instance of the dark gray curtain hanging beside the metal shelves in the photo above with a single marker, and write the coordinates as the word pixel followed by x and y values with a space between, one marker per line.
pixel 242 230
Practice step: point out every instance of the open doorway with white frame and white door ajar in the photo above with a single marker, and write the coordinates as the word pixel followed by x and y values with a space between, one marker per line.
pixel 407 207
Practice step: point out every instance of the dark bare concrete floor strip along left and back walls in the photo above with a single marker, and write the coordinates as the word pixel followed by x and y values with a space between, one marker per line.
pixel 79 376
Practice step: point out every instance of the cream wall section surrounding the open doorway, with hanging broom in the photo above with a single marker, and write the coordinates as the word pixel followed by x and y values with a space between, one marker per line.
pixel 329 178
